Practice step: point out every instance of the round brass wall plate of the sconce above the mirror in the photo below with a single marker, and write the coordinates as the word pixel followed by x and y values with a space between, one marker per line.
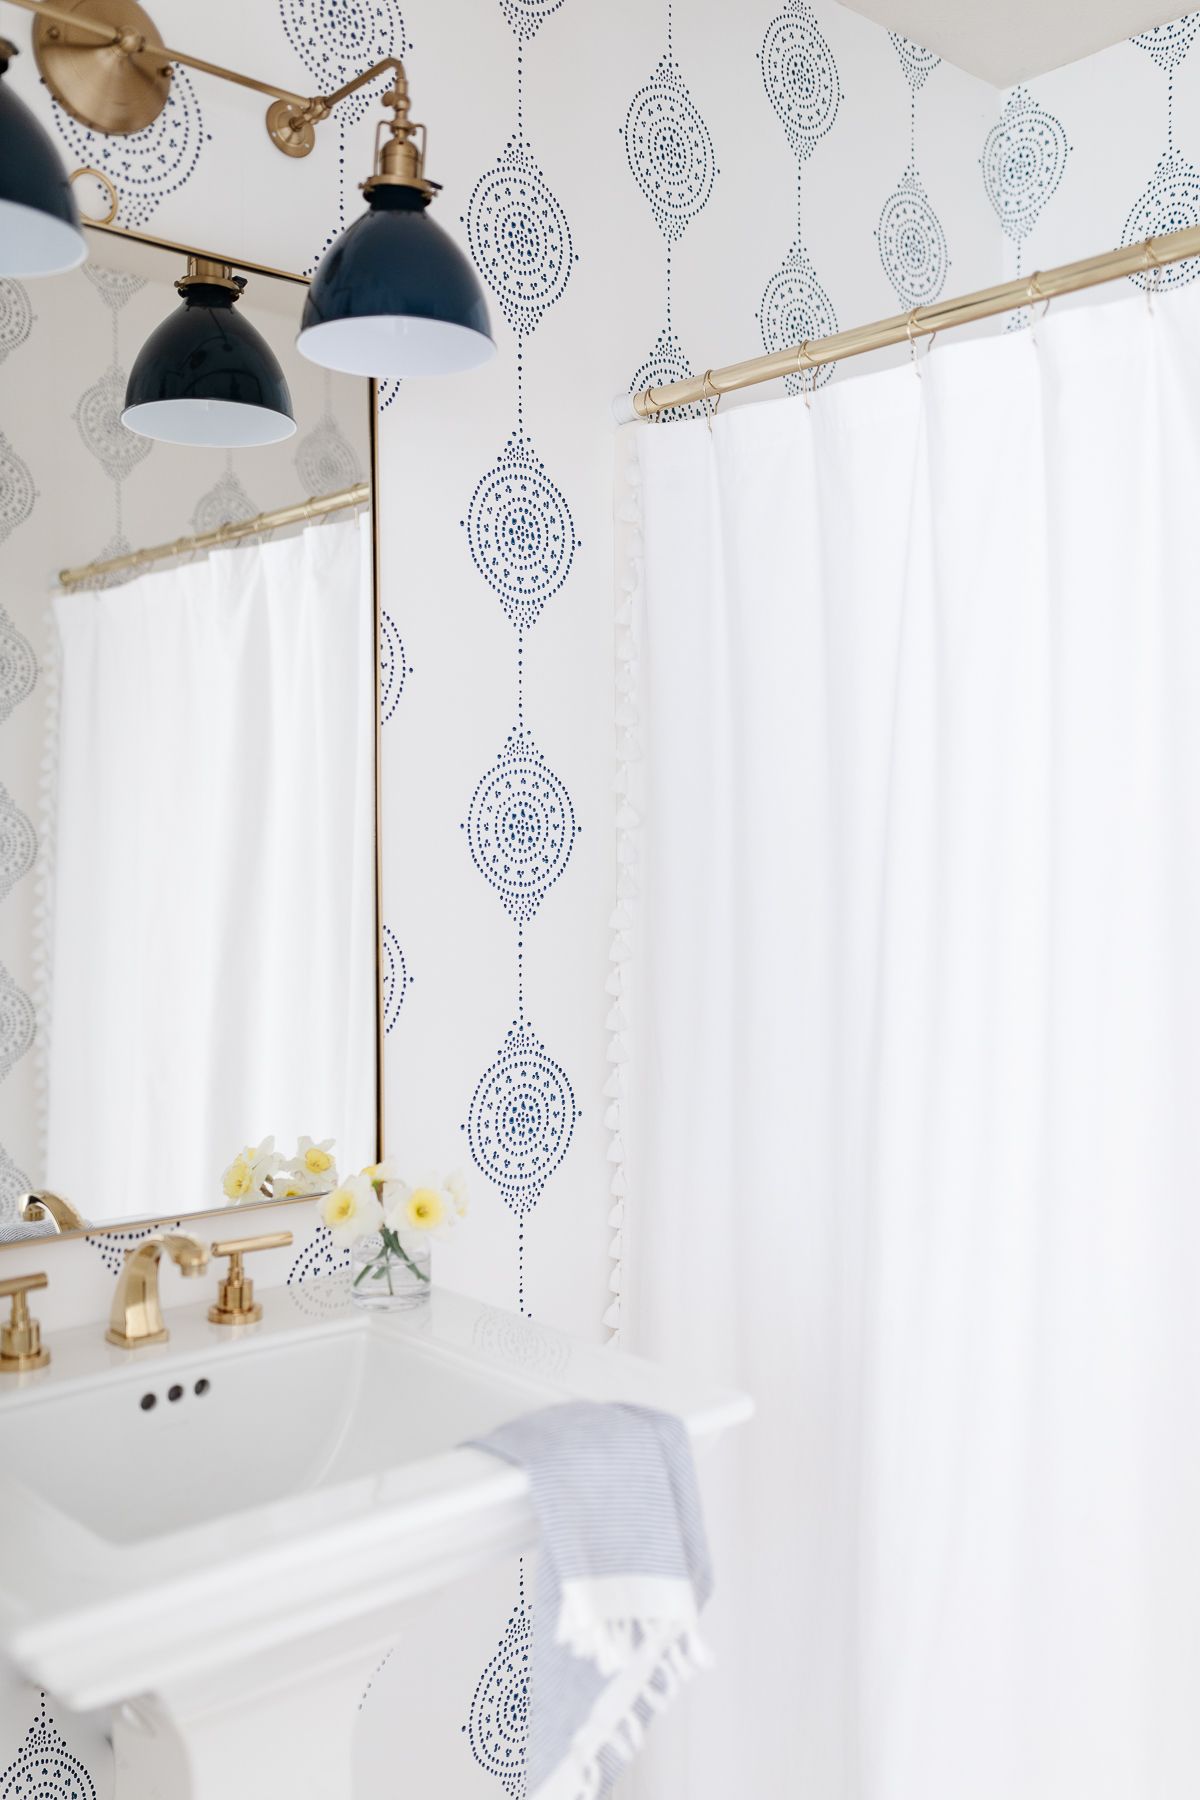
pixel 109 87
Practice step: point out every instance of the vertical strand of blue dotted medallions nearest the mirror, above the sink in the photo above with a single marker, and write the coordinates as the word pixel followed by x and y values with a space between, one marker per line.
pixel 523 543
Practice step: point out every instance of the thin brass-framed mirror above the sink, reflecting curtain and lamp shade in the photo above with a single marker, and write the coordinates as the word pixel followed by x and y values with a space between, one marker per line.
pixel 188 753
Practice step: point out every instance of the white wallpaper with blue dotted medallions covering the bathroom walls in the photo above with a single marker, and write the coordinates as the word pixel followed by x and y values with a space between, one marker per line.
pixel 647 190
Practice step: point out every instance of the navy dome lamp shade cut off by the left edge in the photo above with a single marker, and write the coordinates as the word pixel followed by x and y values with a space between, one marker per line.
pixel 39 217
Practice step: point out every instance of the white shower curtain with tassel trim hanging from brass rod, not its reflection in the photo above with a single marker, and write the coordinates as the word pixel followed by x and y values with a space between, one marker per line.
pixel 917 1063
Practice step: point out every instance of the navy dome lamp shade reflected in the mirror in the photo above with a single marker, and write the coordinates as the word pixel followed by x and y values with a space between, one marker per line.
pixel 206 377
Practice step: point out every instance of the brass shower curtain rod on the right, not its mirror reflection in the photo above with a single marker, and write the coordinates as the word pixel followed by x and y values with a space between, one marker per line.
pixel 924 321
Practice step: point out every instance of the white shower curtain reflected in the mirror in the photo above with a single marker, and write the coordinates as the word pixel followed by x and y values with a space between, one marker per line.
pixel 211 935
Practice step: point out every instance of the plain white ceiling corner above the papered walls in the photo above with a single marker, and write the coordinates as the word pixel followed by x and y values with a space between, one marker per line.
pixel 1012 40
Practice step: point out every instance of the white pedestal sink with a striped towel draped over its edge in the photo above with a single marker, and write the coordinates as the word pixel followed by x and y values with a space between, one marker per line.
pixel 228 1563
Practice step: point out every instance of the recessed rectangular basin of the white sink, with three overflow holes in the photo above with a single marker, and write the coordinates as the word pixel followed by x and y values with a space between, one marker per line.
pixel 229 1428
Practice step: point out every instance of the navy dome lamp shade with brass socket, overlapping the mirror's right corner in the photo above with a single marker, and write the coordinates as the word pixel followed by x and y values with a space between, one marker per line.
pixel 395 296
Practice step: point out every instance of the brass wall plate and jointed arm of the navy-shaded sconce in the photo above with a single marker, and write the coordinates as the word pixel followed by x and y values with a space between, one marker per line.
pixel 107 66
